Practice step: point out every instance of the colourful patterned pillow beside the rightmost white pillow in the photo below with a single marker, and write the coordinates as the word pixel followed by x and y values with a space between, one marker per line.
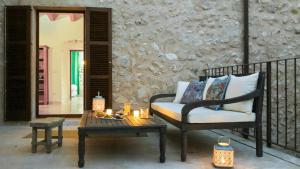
pixel 216 91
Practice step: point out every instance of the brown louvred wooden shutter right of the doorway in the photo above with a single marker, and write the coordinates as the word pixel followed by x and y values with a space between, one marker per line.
pixel 98 74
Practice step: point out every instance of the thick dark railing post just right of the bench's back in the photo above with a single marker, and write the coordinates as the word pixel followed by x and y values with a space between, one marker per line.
pixel 269 104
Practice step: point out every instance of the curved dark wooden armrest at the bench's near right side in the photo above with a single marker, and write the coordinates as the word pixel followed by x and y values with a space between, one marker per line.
pixel 188 107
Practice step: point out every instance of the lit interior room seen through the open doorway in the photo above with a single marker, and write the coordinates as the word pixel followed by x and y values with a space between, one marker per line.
pixel 61 63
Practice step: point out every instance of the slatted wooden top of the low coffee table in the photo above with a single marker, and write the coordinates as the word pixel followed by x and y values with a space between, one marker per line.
pixel 89 120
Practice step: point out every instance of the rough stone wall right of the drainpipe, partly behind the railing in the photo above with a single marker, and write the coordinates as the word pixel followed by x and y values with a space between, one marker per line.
pixel 274 27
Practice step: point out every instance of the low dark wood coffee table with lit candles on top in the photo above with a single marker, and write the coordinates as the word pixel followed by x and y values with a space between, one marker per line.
pixel 90 124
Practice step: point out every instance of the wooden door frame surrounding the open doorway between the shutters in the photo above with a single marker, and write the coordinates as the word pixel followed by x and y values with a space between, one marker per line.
pixel 41 9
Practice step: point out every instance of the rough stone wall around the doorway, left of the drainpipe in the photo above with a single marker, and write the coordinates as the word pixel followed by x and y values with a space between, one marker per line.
pixel 158 42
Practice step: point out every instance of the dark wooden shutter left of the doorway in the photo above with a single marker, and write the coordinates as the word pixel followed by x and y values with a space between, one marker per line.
pixel 17 67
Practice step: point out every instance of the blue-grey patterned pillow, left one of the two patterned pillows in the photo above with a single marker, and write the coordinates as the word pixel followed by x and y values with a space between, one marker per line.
pixel 194 92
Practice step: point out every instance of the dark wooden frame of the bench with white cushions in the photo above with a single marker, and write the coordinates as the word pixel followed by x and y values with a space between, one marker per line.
pixel 184 126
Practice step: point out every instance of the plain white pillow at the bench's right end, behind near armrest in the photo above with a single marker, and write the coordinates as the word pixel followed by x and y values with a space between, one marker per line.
pixel 239 86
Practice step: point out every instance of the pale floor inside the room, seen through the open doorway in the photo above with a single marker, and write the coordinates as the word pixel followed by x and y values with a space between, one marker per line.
pixel 74 106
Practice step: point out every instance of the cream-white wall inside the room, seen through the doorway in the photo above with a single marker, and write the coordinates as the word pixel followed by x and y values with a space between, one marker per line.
pixel 61 36
